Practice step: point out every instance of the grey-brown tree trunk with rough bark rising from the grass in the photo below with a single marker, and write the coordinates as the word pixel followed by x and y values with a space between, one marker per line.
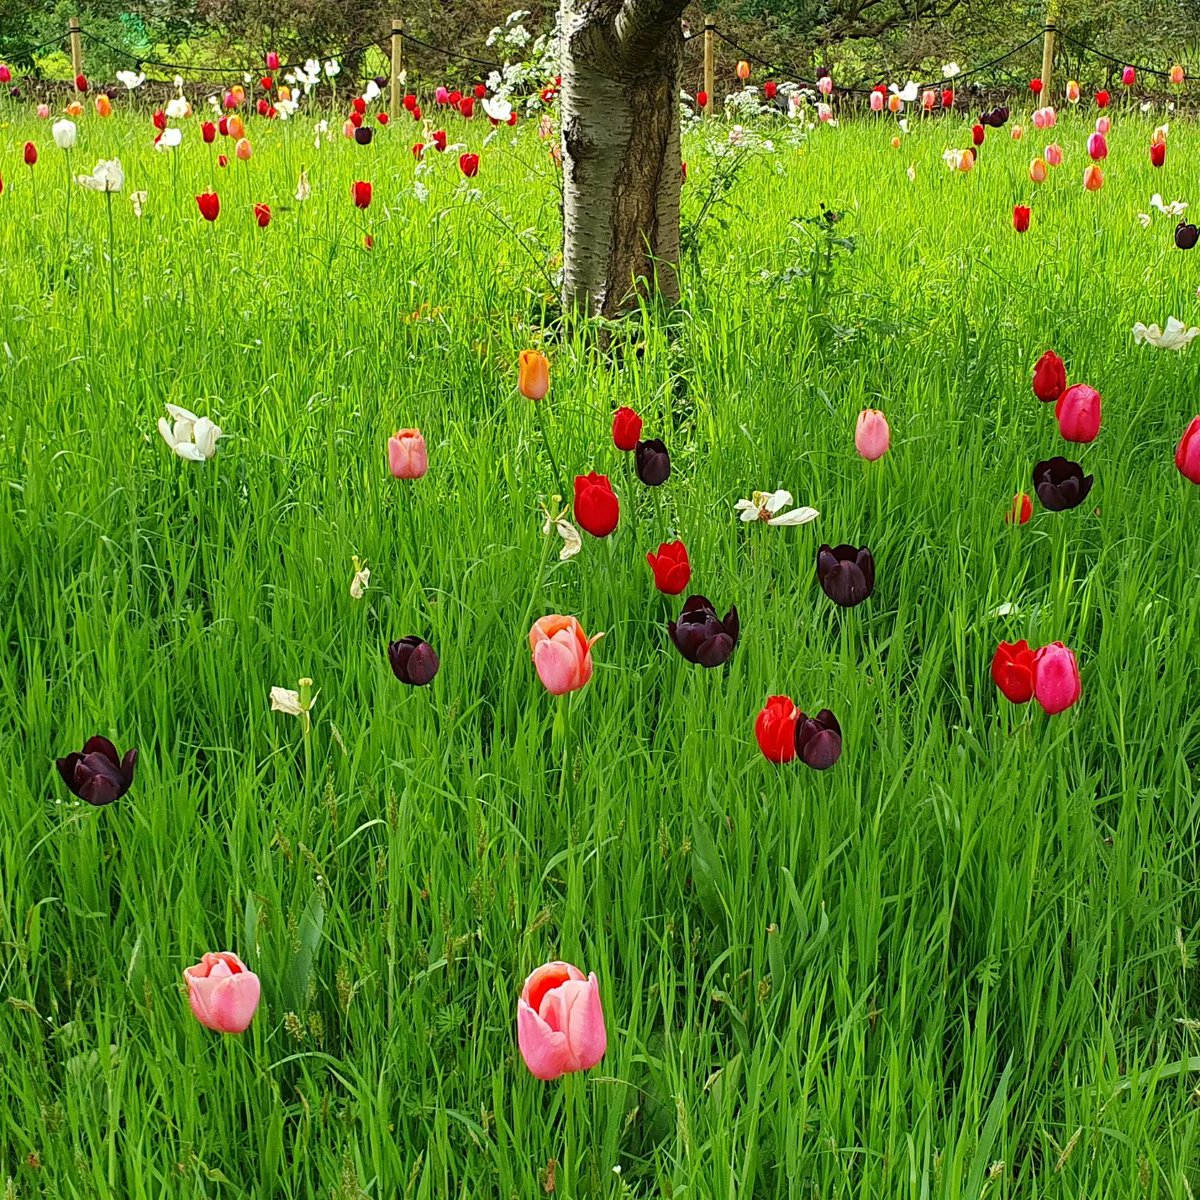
pixel 622 71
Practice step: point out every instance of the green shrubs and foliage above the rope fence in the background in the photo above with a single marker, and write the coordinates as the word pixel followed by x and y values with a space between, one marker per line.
pixel 860 39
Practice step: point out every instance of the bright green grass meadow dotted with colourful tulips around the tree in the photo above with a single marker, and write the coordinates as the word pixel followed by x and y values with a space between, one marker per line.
pixel 743 751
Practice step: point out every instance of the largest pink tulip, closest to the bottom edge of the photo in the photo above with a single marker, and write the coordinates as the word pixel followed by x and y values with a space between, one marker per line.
pixel 561 1022
